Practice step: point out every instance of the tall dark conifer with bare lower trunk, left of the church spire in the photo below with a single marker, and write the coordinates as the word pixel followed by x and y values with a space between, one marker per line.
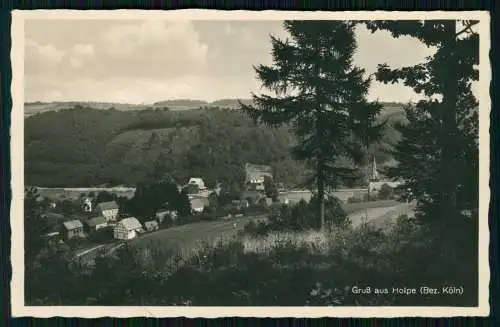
pixel 323 96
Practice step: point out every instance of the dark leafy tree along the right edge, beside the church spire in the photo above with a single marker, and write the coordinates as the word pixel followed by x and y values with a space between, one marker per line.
pixel 438 154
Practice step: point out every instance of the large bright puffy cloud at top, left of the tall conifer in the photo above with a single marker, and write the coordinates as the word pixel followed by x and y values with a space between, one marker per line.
pixel 152 48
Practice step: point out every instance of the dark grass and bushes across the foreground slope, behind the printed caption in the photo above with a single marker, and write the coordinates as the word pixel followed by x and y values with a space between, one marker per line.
pixel 322 267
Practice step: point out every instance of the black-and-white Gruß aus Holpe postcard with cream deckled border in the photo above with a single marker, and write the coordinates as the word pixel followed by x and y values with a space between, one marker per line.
pixel 207 163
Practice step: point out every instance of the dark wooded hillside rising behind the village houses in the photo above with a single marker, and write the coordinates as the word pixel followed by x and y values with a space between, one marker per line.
pixel 88 147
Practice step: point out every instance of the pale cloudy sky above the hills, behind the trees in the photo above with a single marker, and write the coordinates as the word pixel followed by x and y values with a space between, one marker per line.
pixel 146 61
